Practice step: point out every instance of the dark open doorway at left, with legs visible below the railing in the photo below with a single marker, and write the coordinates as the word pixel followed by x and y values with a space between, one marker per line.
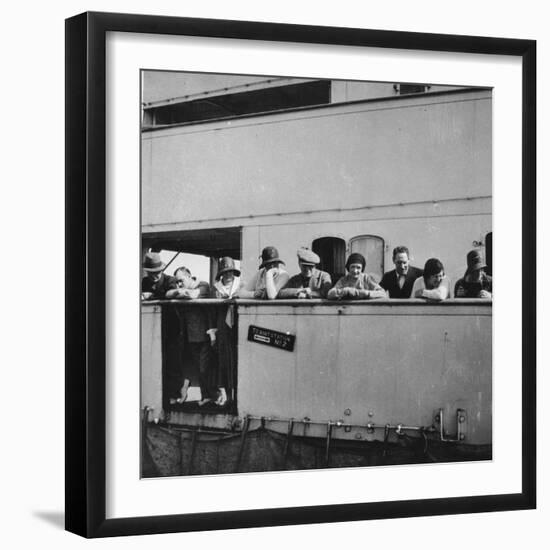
pixel 196 365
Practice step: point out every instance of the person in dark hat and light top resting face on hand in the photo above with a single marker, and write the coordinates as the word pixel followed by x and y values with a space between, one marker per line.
pixel 269 279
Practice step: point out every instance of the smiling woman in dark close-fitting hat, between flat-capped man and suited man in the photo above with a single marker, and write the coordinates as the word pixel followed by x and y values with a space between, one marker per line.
pixel 356 285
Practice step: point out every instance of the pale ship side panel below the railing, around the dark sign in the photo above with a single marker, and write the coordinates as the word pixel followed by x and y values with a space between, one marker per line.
pixel 379 363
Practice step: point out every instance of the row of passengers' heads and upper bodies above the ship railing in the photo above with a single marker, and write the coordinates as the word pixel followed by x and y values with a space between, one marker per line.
pixel 273 281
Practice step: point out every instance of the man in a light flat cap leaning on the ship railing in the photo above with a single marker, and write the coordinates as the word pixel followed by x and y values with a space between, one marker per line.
pixel 310 282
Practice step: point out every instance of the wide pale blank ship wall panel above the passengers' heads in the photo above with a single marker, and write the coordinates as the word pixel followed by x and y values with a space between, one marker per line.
pixel 377 153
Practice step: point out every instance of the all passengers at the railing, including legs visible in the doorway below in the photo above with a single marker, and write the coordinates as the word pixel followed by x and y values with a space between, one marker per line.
pixel 208 335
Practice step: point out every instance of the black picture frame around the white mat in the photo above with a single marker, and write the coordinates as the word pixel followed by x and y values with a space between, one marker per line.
pixel 86 287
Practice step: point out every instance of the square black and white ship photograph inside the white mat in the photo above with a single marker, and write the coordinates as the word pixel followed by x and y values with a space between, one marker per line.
pixel 316 273
